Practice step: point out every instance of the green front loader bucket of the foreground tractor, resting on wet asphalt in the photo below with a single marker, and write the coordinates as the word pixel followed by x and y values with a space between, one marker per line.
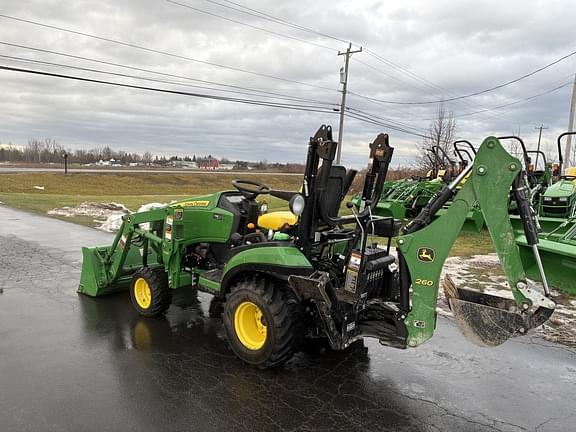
pixel 95 279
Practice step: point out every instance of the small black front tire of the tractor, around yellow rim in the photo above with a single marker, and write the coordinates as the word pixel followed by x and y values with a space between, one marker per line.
pixel 160 295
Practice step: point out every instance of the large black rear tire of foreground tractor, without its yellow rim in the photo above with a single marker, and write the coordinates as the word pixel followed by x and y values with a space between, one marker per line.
pixel 282 316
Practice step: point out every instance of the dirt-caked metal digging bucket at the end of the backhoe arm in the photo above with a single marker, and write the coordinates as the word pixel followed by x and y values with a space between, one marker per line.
pixel 488 320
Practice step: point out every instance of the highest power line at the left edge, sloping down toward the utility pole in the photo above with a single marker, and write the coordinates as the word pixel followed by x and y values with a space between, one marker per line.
pixel 165 53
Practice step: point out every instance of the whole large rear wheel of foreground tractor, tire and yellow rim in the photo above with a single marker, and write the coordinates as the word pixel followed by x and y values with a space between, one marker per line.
pixel 263 322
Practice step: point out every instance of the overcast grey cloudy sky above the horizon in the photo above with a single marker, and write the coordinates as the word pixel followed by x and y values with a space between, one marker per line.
pixel 418 51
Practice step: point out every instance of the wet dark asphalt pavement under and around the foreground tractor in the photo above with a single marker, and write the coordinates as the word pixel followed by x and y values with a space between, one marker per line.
pixel 74 363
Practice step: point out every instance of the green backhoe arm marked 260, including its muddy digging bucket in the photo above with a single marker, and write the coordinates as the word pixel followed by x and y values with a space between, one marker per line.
pixel 425 245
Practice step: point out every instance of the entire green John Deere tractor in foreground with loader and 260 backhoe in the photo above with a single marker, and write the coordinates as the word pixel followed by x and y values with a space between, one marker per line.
pixel 280 279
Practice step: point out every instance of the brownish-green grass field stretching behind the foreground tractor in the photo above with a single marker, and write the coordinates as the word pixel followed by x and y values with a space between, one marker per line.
pixel 20 190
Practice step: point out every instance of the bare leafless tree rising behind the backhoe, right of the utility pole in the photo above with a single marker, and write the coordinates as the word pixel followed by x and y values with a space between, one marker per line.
pixel 441 133
